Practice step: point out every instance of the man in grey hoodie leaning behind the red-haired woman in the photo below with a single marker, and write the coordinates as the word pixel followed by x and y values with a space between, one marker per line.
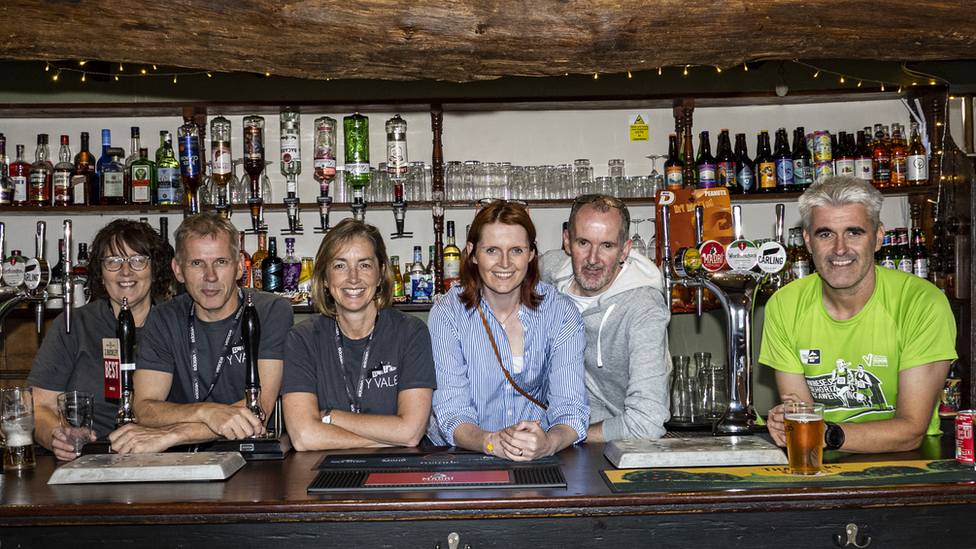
pixel 621 296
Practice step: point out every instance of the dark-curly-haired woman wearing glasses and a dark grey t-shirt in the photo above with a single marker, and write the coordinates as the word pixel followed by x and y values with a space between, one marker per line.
pixel 130 261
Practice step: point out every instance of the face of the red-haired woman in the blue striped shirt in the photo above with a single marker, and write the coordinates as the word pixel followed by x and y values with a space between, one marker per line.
pixel 503 256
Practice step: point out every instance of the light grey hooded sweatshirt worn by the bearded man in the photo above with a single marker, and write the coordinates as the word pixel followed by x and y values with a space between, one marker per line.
pixel 628 367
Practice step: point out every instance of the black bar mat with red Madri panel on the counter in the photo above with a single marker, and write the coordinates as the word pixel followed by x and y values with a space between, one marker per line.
pixel 432 471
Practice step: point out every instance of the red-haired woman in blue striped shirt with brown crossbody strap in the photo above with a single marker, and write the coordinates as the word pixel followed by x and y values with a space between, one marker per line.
pixel 508 349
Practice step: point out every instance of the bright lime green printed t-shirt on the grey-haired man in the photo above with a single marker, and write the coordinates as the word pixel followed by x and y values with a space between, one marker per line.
pixel 852 366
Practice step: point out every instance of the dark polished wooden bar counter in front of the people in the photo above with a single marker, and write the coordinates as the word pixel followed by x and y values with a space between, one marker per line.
pixel 265 505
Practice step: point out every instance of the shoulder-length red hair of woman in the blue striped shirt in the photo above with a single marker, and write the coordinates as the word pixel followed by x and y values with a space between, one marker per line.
pixel 506 213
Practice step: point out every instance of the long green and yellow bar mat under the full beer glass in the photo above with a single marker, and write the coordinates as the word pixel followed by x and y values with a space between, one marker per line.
pixel 882 473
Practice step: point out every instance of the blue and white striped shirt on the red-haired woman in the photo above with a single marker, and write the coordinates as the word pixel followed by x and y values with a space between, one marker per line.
pixel 471 387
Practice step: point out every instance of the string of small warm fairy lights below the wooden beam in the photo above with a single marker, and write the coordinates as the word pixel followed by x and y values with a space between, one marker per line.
pixel 843 78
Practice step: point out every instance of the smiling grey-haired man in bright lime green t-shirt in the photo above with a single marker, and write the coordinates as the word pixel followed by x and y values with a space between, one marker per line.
pixel 872 344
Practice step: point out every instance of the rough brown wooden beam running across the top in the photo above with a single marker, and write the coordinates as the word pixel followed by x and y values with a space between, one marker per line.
pixel 466 40
